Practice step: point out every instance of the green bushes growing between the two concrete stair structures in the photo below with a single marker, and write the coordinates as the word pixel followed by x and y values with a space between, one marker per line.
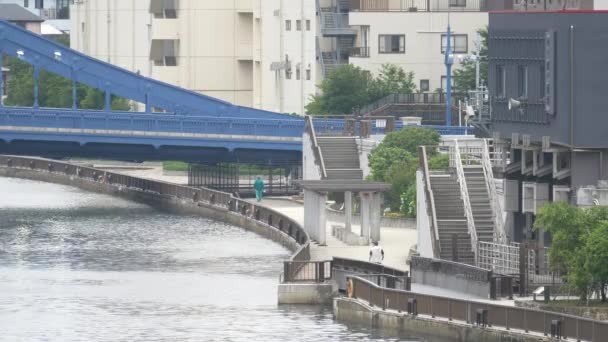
pixel 395 161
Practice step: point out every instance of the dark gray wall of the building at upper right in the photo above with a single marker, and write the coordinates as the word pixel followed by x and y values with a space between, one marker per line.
pixel 517 38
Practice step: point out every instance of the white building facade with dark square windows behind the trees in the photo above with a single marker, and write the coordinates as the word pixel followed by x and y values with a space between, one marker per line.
pixel 410 36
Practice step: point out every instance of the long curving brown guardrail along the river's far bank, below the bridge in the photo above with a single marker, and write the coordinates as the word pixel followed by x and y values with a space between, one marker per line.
pixel 216 199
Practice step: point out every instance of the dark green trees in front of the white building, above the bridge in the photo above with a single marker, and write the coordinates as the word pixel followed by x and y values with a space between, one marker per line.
pixel 349 87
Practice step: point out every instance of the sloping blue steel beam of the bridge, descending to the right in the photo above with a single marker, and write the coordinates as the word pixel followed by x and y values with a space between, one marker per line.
pixel 79 67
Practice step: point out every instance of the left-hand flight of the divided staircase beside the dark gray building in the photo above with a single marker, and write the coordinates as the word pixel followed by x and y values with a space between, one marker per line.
pixel 451 217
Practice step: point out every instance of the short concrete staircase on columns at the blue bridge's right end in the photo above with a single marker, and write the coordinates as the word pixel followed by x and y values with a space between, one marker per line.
pixel 341 157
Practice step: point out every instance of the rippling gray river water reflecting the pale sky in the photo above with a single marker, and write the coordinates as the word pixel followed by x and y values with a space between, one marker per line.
pixel 77 266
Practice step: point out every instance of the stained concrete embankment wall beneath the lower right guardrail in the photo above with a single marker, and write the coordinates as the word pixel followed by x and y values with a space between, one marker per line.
pixel 354 311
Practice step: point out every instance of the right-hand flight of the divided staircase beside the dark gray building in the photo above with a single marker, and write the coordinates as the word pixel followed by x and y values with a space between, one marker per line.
pixel 480 203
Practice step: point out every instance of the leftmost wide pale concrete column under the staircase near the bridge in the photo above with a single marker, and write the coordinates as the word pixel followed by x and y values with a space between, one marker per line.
pixel 314 219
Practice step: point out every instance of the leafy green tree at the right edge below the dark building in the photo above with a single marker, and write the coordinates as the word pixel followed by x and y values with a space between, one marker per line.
pixel 579 246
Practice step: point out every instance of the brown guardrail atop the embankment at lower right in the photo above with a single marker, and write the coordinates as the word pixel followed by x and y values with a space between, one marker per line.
pixel 480 313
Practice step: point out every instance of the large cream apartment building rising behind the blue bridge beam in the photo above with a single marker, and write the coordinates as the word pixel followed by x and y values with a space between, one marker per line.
pixel 258 53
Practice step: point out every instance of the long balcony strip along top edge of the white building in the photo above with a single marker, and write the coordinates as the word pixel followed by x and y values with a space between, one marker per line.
pixel 418 5
